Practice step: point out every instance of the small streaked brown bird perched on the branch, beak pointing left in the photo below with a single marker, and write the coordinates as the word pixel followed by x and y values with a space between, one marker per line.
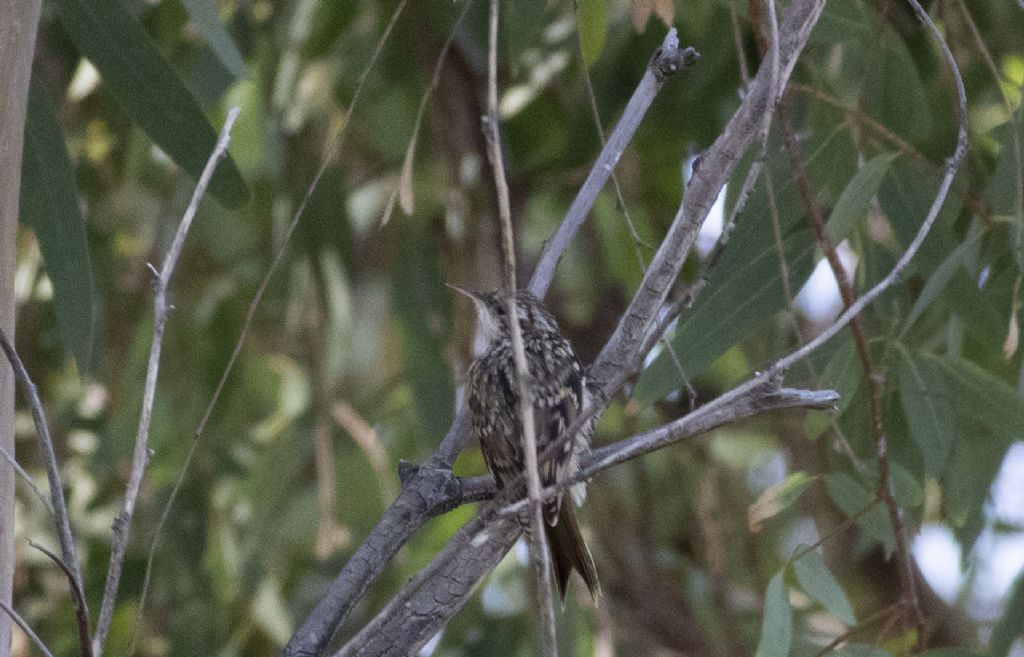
pixel 559 395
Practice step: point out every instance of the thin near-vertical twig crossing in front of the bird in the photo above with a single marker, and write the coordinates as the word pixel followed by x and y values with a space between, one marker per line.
pixel 539 555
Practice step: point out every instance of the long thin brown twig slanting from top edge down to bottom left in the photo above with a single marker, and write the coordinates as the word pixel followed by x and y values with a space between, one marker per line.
pixel 332 152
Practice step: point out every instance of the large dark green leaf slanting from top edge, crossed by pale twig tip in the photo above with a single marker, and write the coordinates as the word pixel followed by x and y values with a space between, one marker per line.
pixel 149 91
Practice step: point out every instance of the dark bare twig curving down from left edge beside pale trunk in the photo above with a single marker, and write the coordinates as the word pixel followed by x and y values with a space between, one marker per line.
pixel 60 507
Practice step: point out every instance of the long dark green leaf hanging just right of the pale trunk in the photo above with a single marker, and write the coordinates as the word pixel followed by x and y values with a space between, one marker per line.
pixel 50 207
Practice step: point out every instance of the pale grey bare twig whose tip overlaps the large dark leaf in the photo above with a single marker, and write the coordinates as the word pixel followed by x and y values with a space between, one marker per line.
pixel 141 455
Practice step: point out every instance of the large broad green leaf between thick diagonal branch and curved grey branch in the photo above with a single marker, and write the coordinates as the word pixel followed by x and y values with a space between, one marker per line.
pixel 745 291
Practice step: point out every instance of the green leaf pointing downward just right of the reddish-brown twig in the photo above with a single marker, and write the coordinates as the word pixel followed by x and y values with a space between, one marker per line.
pixel 928 405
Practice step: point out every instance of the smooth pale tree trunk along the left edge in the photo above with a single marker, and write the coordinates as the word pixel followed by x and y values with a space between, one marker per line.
pixel 19 22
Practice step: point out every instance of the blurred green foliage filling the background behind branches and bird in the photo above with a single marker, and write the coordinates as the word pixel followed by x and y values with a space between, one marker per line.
pixel 358 353
